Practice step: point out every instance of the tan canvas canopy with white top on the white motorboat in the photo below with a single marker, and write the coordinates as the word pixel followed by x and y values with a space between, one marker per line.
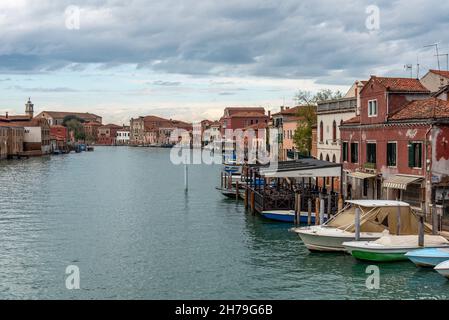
pixel 377 218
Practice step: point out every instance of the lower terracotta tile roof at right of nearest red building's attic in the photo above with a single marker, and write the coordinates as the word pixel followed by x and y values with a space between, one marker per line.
pixel 423 109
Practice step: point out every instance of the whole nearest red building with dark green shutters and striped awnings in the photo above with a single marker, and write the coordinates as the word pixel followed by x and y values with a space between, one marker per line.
pixel 396 147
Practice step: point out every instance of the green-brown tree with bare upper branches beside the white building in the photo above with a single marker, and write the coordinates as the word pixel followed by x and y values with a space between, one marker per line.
pixel 307 112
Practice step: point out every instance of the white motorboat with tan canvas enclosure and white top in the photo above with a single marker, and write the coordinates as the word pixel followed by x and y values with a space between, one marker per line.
pixel 377 218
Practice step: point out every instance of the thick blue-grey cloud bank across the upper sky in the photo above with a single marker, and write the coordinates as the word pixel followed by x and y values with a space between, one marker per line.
pixel 289 39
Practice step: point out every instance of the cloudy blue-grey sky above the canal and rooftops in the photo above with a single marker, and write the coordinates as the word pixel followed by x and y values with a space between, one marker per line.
pixel 190 59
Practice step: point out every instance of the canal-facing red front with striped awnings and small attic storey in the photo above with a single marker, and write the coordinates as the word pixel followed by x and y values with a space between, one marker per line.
pixel 376 150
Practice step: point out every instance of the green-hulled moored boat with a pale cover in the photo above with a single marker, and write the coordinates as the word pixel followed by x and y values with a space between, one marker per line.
pixel 391 247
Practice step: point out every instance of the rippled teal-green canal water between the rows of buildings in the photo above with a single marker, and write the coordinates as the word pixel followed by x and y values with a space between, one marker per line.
pixel 122 217
